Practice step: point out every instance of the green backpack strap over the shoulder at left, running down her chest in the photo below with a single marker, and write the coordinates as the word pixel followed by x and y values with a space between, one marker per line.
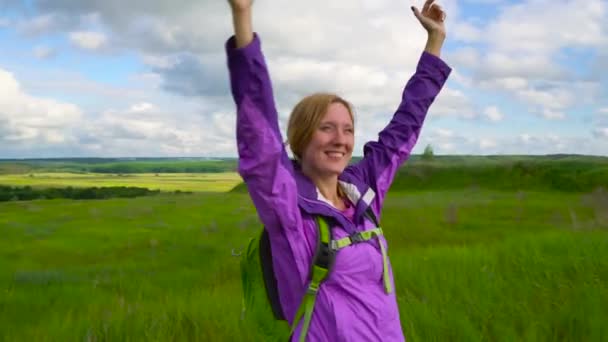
pixel 322 263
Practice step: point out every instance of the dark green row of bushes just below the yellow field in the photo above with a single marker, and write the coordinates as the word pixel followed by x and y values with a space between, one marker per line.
pixel 28 193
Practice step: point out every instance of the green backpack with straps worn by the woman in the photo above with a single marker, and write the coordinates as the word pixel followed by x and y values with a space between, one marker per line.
pixel 261 311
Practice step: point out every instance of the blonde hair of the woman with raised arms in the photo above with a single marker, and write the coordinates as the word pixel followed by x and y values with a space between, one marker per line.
pixel 306 117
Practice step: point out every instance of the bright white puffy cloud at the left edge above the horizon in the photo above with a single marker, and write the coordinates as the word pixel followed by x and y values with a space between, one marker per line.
pixel 29 120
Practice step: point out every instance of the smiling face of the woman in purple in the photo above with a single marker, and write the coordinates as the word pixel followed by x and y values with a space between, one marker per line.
pixel 331 146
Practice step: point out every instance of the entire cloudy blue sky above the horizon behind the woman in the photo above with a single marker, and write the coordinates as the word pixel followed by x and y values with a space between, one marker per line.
pixel 148 78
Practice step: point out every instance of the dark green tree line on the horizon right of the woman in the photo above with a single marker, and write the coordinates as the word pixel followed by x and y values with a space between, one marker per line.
pixel 430 172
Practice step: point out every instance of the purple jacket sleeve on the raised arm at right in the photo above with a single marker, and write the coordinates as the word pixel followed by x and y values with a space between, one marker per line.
pixel 382 158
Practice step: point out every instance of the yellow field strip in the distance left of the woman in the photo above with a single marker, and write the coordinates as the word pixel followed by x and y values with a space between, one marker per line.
pixel 197 182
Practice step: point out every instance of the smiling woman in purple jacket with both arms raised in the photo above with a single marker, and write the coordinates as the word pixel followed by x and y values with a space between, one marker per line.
pixel 357 302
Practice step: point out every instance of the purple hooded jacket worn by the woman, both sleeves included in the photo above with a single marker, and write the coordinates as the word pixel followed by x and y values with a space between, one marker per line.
pixel 351 304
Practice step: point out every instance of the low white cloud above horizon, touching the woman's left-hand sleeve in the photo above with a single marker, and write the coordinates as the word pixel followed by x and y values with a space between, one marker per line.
pixel 145 129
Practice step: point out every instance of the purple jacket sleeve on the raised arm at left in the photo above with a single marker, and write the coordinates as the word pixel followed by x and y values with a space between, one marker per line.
pixel 263 162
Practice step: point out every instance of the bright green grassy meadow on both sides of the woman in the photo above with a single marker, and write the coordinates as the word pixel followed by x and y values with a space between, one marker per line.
pixel 472 262
